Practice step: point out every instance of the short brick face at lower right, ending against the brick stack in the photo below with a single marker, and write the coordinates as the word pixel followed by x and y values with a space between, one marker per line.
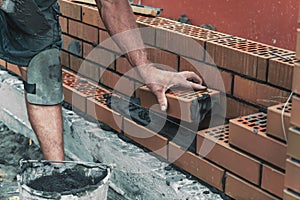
pixel 272 181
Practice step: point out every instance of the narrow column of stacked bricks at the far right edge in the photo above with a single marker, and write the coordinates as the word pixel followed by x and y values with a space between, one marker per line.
pixel 292 178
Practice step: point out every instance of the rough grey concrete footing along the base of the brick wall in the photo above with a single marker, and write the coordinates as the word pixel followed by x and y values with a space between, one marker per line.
pixel 136 173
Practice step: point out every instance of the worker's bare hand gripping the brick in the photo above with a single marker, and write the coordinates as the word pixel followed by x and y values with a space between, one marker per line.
pixel 159 81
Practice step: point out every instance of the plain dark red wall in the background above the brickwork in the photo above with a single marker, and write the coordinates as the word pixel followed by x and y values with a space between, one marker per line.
pixel 272 22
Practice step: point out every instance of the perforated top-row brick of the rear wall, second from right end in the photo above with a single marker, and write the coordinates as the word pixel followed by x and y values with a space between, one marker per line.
pixel 243 56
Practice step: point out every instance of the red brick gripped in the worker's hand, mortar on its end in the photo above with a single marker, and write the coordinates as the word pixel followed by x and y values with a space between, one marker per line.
pixel 183 104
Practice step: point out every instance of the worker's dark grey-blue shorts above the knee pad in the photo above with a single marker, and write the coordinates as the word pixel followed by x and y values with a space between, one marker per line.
pixel 27 28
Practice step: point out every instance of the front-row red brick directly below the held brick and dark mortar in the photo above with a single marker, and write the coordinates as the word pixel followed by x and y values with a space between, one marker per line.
pixel 145 137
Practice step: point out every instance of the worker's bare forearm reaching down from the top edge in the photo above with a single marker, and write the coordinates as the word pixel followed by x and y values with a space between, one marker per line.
pixel 118 18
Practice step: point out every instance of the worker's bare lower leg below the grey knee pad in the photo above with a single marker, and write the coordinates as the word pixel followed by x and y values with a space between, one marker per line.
pixel 47 123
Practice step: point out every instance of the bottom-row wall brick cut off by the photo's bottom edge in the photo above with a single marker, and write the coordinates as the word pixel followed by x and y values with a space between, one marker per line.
pixel 241 190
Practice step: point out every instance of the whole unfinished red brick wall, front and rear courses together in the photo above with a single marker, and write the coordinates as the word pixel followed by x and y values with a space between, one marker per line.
pixel 256 76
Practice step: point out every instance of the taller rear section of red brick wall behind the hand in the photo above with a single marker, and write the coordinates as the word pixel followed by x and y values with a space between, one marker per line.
pixel 255 75
